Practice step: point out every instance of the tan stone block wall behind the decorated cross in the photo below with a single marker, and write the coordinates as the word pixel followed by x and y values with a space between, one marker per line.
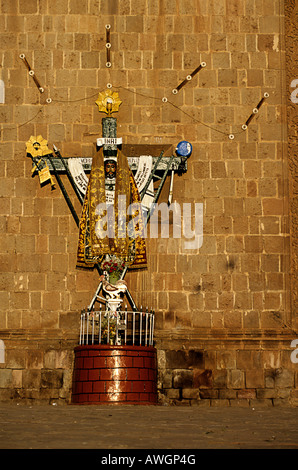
pixel 224 317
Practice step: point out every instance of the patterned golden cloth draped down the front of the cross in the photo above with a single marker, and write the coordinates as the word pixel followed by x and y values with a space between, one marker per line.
pixel 99 232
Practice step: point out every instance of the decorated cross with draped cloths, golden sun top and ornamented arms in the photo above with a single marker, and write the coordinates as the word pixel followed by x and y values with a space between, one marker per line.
pixel 117 199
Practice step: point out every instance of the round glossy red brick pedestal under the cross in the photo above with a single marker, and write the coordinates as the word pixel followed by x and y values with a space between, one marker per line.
pixel 105 374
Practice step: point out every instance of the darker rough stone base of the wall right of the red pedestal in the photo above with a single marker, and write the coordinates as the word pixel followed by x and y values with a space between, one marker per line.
pixel 234 375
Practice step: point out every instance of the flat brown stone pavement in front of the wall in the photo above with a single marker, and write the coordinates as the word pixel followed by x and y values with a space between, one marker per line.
pixel 147 427
